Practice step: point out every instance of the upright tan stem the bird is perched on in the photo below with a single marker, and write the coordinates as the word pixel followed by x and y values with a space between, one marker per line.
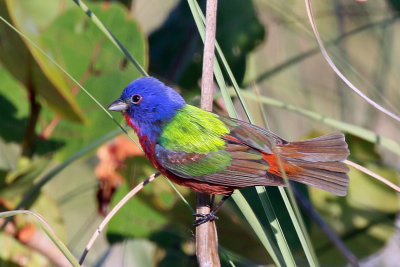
pixel 206 233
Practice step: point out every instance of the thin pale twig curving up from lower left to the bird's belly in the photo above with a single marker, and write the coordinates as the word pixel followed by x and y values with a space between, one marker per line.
pixel 111 214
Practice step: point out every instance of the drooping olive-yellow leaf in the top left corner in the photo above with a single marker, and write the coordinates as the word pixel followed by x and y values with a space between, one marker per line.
pixel 27 64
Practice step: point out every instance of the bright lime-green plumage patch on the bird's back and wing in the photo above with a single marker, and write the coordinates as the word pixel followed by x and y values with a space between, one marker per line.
pixel 194 130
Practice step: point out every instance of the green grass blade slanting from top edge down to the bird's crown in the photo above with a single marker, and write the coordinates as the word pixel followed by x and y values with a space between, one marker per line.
pixel 110 36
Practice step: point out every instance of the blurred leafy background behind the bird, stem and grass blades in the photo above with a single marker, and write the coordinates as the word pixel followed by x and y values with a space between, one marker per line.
pixel 45 119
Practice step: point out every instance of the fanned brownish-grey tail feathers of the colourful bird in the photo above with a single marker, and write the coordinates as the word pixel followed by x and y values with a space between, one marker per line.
pixel 320 162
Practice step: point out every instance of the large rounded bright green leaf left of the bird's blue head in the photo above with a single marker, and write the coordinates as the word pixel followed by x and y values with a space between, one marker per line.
pixel 75 42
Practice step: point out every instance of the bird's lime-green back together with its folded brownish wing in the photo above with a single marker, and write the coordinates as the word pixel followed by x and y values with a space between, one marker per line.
pixel 233 154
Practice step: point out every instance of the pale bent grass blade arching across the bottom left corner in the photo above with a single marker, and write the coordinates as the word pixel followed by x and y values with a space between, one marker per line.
pixel 47 229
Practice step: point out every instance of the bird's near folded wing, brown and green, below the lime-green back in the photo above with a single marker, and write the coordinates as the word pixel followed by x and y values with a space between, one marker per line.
pixel 236 166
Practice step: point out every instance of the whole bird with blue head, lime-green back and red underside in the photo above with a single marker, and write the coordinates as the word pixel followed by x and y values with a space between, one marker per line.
pixel 213 154
